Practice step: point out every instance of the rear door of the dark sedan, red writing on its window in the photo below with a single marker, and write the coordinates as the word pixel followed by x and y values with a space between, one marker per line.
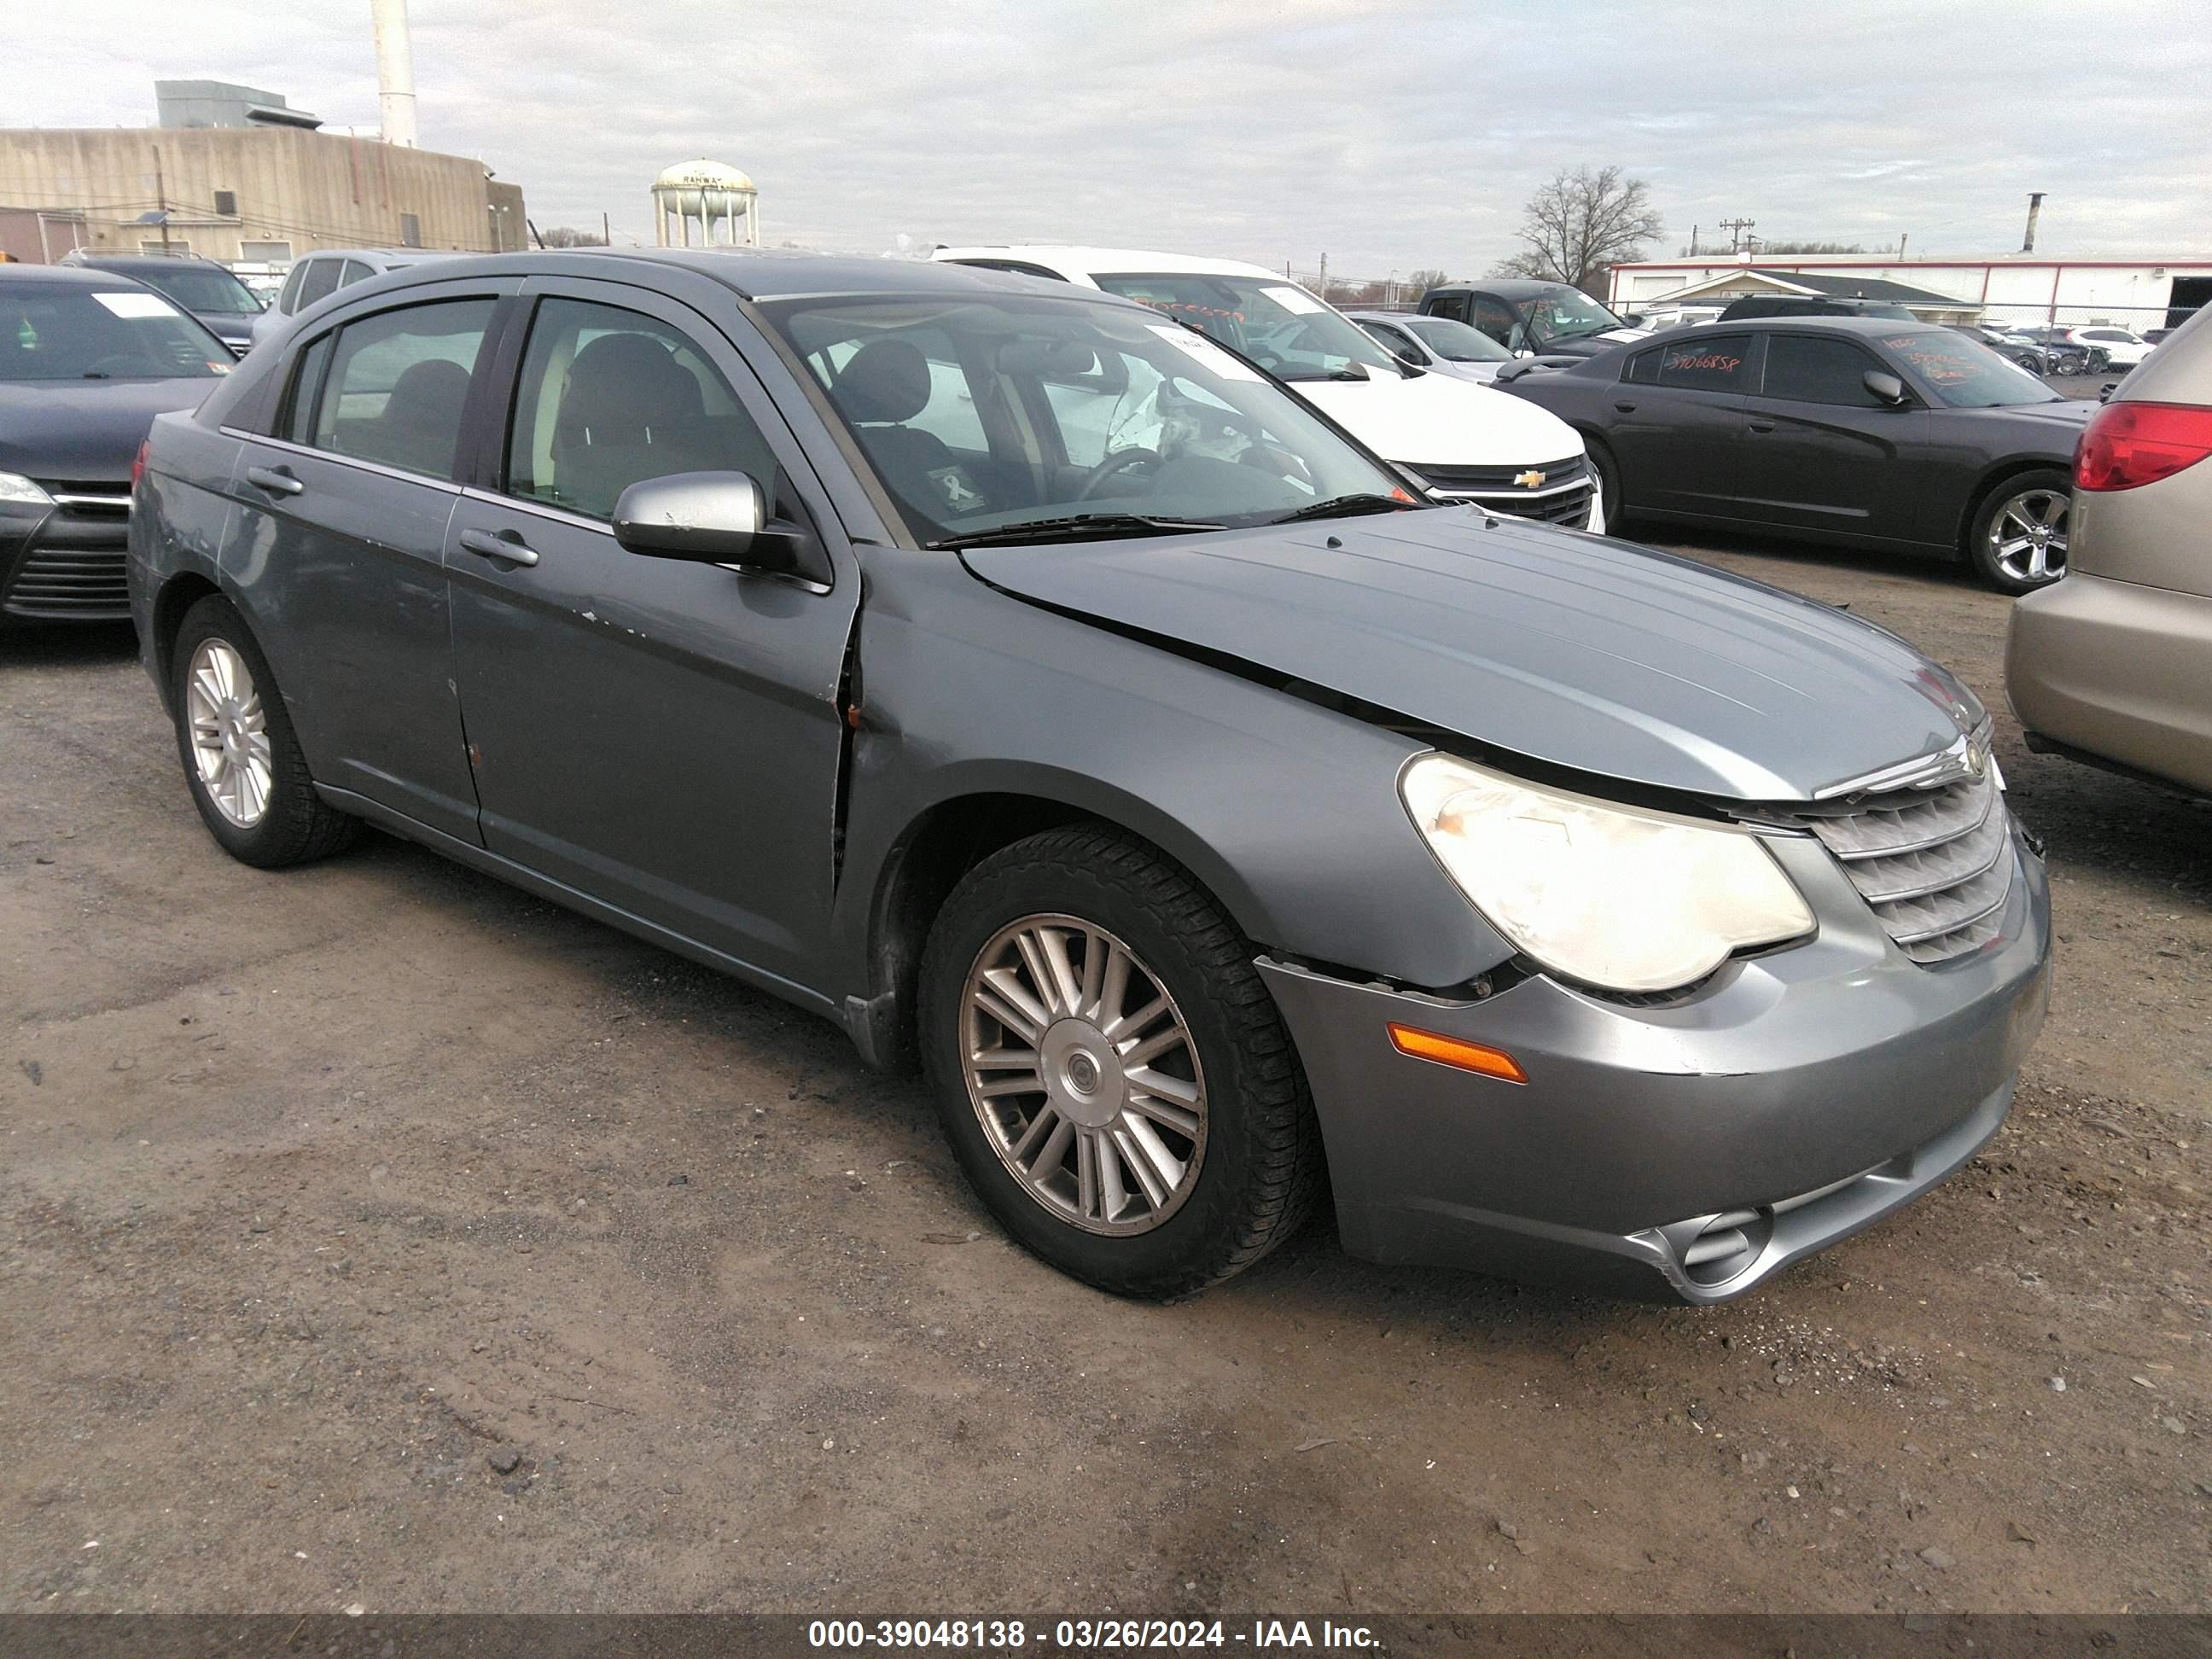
pixel 1678 424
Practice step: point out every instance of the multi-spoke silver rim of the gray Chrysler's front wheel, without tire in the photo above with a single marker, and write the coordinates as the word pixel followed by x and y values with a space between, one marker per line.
pixel 1083 1076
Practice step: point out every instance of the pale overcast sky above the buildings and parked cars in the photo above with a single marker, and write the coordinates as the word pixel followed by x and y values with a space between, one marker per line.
pixel 1386 136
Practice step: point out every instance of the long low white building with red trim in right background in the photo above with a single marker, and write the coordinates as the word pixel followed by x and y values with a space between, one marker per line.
pixel 2016 289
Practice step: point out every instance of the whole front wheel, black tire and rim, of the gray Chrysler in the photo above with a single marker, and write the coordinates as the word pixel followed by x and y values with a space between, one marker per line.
pixel 1112 1072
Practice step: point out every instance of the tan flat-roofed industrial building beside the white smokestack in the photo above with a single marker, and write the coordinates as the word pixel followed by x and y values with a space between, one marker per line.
pixel 236 174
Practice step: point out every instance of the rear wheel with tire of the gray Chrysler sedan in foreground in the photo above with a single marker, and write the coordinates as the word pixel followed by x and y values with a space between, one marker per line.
pixel 242 760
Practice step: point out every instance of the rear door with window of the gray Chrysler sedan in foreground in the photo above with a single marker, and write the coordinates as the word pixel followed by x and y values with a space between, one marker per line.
pixel 340 545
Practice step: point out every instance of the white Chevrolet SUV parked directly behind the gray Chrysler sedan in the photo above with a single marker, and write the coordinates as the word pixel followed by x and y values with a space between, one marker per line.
pixel 1463 444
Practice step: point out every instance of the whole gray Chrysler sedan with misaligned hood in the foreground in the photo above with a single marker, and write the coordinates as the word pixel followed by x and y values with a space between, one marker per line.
pixel 1045 696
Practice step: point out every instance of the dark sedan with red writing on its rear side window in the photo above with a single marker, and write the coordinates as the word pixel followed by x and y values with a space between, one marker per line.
pixel 1866 432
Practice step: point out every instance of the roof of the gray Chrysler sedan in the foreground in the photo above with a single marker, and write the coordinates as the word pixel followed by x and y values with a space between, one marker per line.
pixel 749 273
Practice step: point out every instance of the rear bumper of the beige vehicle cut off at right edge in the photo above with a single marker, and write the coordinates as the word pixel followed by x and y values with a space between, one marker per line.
pixel 2120 674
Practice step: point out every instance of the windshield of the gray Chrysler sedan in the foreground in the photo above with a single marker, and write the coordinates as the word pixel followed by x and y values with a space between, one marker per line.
pixel 992 410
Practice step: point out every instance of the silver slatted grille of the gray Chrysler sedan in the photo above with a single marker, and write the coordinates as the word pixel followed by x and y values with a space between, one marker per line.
pixel 1934 866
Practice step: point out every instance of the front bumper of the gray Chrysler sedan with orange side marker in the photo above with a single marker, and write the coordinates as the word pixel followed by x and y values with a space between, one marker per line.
pixel 1791 1100
